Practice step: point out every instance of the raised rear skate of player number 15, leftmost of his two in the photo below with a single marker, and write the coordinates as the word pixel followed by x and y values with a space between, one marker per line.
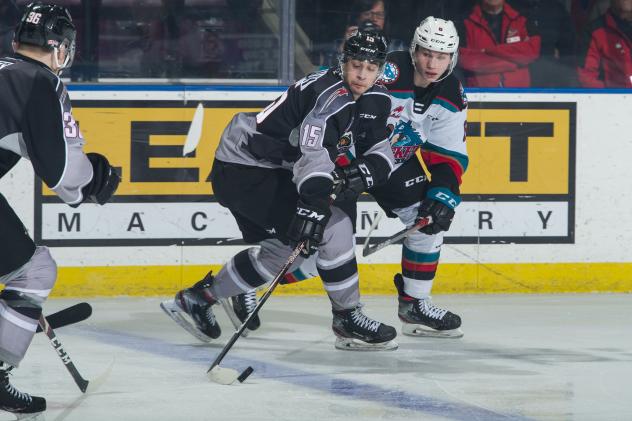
pixel 192 310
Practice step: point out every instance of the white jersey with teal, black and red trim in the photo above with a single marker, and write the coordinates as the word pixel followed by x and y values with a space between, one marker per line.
pixel 432 119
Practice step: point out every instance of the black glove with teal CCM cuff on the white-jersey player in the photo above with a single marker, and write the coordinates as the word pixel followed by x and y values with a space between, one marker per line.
pixel 438 204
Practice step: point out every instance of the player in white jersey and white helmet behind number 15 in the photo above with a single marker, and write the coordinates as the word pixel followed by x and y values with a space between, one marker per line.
pixel 428 112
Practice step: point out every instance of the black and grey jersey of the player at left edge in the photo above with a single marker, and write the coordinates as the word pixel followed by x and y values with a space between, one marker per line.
pixel 37 124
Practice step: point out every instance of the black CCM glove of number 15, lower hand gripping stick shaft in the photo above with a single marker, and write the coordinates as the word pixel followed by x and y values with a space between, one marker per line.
pixel 308 224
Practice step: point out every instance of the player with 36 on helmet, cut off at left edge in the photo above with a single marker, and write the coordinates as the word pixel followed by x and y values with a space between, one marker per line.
pixel 37 124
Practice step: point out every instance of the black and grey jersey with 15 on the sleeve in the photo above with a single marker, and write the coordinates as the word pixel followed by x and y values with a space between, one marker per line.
pixel 309 127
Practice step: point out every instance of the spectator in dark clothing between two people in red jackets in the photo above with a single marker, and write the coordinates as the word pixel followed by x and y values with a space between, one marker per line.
pixel 555 68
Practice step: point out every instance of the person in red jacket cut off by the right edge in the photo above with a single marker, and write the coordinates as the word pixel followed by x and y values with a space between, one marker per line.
pixel 607 62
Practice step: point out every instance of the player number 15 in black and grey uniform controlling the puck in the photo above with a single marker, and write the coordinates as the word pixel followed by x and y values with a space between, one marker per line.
pixel 275 171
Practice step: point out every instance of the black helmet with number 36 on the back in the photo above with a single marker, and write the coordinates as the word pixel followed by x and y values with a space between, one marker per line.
pixel 48 26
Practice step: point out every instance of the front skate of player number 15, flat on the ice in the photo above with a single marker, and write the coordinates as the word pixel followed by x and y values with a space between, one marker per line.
pixel 357 332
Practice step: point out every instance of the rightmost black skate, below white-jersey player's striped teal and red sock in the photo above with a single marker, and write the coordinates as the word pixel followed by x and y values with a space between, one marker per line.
pixel 421 318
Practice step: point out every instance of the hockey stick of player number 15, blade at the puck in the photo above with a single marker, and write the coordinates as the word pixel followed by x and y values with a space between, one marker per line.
pixel 223 375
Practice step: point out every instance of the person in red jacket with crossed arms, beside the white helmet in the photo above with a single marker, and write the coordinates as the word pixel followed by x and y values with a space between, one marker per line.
pixel 498 46
